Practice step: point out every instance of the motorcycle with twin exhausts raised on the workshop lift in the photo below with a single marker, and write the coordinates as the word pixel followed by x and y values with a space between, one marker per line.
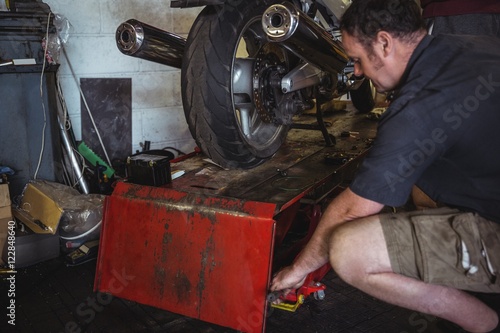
pixel 248 67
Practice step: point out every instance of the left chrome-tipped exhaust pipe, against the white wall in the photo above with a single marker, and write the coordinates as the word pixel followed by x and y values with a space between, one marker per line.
pixel 140 40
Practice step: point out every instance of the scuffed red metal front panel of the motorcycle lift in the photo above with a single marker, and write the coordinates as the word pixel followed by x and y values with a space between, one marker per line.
pixel 188 253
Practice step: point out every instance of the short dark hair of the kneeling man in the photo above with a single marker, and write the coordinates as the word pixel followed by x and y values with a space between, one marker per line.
pixel 365 18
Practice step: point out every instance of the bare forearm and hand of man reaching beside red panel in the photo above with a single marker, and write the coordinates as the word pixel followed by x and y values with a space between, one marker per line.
pixel 345 207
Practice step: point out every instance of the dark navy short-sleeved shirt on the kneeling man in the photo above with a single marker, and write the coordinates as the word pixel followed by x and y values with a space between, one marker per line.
pixel 442 130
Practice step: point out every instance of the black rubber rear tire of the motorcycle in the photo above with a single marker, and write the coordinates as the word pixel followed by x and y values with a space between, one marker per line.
pixel 207 88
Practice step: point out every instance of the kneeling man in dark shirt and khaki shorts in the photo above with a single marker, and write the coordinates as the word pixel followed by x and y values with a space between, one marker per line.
pixel 440 133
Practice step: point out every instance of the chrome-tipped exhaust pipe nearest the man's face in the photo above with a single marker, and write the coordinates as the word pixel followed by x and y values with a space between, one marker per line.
pixel 298 33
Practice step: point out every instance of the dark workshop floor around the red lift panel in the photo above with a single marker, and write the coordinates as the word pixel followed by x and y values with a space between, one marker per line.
pixel 52 297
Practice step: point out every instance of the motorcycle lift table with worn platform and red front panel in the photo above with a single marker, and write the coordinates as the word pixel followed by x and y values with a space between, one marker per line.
pixel 206 245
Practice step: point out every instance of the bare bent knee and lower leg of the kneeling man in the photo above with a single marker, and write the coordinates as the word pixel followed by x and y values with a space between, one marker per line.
pixel 358 254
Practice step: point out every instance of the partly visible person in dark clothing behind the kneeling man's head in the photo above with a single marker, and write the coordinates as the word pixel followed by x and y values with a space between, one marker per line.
pixel 474 17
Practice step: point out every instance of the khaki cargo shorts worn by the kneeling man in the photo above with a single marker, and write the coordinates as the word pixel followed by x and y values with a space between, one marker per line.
pixel 445 246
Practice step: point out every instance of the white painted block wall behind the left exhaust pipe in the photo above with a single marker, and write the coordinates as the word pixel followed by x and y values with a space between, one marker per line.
pixel 157 114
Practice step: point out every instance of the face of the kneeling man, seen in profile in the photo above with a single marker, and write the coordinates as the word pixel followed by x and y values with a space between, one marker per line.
pixel 370 63
